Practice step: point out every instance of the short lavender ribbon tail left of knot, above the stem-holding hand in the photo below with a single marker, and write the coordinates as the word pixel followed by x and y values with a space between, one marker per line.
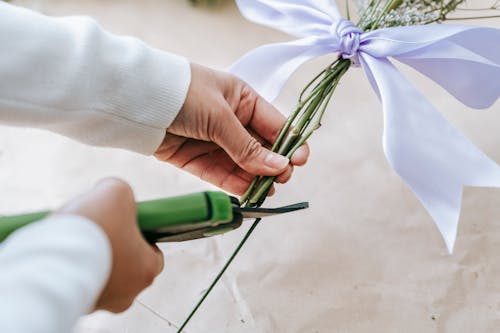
pixel 267 68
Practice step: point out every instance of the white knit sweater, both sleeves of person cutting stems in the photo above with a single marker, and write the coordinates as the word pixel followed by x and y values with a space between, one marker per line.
pixel 70 76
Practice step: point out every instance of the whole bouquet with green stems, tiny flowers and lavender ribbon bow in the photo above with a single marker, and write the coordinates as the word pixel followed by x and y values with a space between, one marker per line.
pixel 428 153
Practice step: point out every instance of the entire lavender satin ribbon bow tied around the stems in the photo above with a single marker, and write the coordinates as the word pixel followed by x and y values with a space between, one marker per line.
pixel 426 151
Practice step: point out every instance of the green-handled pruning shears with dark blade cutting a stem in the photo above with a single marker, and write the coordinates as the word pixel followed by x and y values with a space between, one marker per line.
pixel 176 219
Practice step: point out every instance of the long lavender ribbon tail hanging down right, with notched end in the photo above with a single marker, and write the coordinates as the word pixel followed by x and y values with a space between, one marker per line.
pixel 427 152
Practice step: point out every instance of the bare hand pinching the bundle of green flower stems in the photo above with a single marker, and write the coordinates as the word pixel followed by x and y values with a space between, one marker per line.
pixel 222 131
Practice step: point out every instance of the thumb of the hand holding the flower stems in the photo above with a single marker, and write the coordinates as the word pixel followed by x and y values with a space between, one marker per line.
pixel 246 151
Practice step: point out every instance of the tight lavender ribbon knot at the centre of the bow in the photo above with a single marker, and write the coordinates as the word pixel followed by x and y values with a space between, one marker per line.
pixel 349 36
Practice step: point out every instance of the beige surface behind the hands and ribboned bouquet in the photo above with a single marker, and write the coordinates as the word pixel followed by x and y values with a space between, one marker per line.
pixel 366 257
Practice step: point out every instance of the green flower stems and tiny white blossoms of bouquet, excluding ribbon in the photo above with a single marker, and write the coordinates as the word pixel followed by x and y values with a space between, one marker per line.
pixel 315 97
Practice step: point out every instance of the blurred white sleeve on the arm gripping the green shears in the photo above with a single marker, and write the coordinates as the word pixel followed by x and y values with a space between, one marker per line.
pixel 51 273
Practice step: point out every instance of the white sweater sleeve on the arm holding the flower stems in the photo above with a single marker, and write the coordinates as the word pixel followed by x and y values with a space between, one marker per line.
pixel 69 76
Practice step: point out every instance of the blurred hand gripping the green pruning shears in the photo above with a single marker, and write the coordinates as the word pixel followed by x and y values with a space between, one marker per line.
pixel 111 205
